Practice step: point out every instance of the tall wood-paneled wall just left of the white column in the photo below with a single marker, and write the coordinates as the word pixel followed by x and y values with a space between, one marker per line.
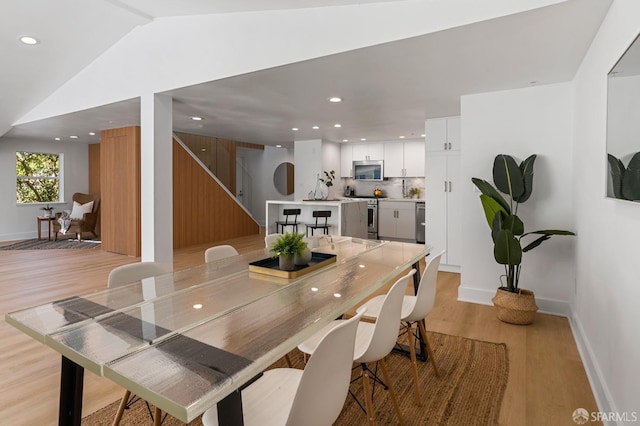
pixel 120 190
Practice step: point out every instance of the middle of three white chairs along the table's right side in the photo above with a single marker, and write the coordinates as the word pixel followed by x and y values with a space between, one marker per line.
pixel 373 343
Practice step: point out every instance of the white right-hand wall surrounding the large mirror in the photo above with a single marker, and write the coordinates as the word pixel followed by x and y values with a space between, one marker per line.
pixel 605 311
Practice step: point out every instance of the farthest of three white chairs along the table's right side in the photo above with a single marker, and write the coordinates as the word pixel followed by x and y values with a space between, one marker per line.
pixel 414 311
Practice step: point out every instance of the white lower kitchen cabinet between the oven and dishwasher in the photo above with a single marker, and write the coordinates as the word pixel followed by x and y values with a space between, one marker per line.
pixel 397 220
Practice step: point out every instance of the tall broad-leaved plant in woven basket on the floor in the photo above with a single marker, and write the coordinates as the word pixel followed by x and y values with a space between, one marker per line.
pixel 513 304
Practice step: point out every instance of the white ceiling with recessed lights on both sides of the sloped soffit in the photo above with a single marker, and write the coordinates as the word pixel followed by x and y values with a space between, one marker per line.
pixel 388 89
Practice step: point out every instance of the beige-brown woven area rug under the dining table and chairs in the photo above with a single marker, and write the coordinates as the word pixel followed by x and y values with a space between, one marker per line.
pixel 469 391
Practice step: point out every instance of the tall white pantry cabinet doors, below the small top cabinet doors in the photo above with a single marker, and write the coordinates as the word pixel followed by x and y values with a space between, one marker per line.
pixel 443 204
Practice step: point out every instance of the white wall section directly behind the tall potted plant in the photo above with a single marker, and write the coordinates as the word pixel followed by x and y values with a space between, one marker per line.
pixel 535 120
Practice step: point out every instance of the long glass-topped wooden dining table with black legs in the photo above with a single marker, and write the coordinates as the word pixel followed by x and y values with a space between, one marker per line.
pixel 189 339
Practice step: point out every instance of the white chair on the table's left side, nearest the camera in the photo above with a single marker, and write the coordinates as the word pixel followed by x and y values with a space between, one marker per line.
pixel 120 276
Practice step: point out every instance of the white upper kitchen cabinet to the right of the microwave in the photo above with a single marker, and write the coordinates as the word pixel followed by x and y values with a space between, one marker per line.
pixel 404 159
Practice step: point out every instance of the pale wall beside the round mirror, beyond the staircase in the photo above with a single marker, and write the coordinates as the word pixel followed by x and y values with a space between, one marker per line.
pixel 260 166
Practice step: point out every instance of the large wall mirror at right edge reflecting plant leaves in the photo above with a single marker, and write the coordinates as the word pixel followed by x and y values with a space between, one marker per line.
pixel 623 126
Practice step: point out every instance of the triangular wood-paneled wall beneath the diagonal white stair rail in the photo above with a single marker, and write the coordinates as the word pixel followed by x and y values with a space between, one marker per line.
pixel 203 212
